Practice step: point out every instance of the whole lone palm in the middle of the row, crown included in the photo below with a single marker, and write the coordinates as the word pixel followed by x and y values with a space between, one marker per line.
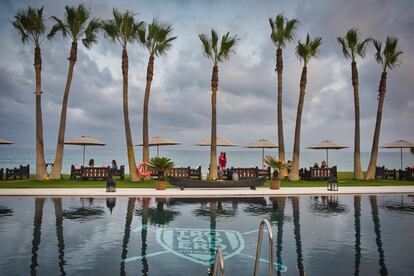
pixel 216 53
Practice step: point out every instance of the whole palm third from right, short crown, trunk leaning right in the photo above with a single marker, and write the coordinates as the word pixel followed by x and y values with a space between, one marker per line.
pixel 304 51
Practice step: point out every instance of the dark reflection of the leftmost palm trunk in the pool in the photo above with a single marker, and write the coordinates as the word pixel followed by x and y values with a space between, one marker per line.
pixel 37 225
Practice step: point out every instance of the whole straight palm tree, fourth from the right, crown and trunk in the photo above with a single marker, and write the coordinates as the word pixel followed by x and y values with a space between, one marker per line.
pixel 283 31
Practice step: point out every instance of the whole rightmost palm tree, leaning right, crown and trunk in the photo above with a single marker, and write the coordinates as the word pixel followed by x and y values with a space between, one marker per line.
pixel 389 58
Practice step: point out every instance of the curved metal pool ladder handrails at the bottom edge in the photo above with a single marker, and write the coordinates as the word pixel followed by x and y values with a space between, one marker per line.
pixel 219 255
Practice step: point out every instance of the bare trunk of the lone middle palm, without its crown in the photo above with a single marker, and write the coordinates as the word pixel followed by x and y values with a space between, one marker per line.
pixel 213 148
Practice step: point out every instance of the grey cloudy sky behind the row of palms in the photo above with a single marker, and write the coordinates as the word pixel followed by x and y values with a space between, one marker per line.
pixel 180 98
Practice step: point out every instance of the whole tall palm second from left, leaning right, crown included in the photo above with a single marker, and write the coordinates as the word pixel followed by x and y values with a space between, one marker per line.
pixel 76 26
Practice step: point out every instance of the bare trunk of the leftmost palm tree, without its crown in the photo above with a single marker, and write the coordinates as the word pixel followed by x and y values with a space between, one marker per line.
pixel 41 172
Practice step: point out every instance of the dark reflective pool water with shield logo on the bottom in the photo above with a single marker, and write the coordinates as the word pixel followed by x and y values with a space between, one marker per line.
pixel 338 235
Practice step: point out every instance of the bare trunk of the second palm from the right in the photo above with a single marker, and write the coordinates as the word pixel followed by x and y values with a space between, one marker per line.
pixel 357 148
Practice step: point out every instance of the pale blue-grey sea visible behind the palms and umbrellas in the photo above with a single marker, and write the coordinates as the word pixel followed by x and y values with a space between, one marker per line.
pixel 11 157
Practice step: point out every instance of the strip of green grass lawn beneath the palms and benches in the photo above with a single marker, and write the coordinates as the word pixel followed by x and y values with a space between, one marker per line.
pixel 344 179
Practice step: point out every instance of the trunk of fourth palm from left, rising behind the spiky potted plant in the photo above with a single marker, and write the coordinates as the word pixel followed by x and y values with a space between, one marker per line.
pixel 145 138
